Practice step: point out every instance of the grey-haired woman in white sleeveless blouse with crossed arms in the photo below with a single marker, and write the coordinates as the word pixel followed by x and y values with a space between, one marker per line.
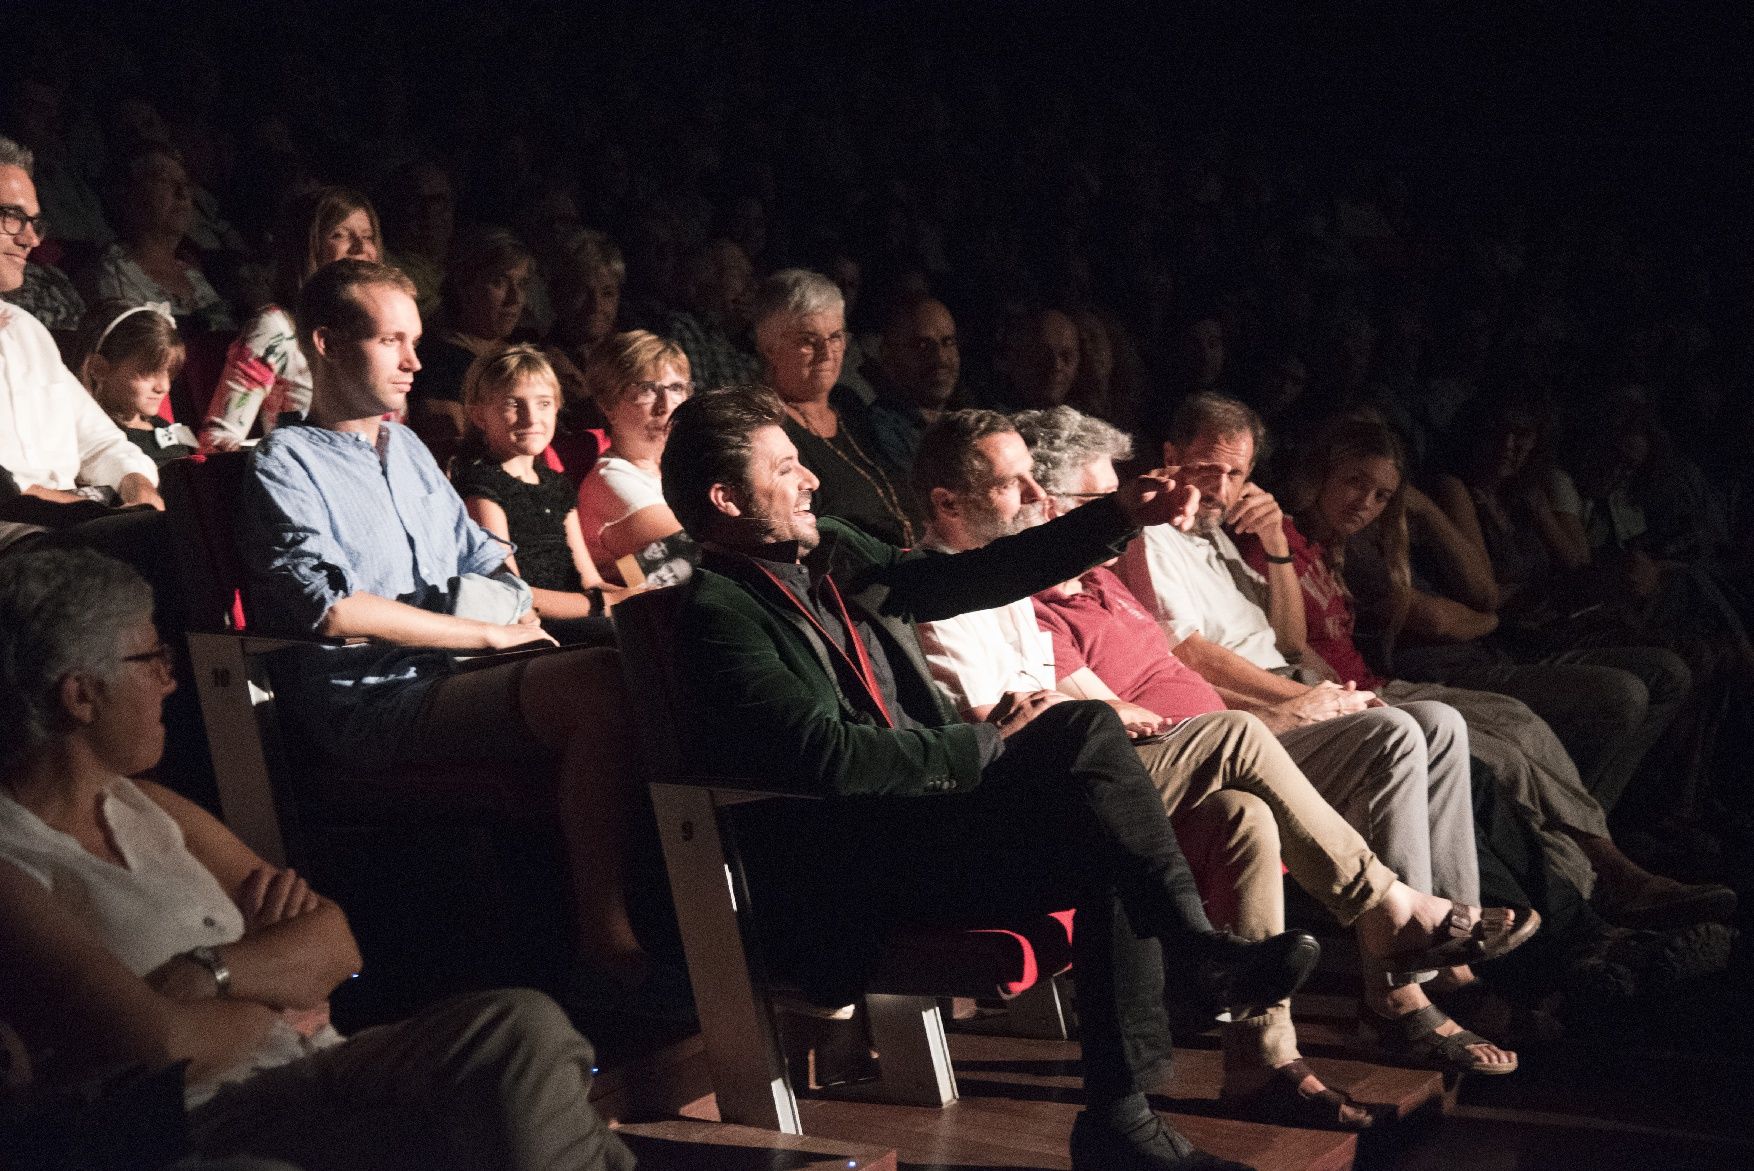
pixel 136 930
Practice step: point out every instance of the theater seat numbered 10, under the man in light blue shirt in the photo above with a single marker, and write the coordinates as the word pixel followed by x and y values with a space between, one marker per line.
pixel 485 837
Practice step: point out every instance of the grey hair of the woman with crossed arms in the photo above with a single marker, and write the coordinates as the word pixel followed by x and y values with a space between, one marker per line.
pixel 61 613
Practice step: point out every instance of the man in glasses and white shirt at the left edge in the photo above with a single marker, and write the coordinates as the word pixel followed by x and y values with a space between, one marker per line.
pixel 57 446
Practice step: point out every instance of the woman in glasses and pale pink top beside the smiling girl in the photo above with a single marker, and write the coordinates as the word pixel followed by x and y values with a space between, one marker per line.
pixel 636 380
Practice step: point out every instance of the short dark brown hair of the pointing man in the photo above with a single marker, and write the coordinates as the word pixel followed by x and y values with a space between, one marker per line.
pixel 711 437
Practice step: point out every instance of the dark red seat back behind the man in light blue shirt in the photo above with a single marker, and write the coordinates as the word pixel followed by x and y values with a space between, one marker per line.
pixel 201 499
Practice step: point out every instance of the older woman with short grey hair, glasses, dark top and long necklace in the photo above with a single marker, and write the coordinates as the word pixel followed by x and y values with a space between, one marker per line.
pixel 801 329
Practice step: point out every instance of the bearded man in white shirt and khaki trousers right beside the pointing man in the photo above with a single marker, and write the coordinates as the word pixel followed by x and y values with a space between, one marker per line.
pixel 1222 776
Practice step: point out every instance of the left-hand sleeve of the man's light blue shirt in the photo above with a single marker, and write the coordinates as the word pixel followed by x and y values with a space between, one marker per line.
pixel 296 569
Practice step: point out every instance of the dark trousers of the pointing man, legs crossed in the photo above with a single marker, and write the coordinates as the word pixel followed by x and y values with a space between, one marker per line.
pixel 1064 818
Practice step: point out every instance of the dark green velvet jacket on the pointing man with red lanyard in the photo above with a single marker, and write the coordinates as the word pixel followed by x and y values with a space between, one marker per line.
pixel 760 695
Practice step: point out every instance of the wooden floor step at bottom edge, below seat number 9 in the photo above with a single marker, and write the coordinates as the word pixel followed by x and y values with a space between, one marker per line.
pixel 690 1146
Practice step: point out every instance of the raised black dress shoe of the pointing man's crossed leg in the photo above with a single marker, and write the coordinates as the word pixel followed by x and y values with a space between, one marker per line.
pixel 1220 976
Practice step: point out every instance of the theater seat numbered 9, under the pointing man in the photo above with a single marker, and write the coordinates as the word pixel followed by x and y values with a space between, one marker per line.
pixel 717 912
